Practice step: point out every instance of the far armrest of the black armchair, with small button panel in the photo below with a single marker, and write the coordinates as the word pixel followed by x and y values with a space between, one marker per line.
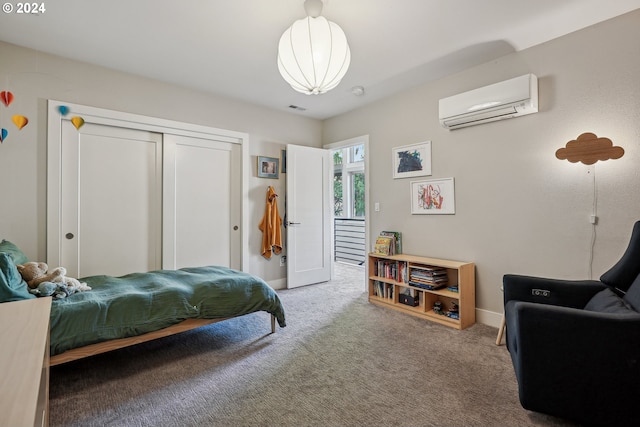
pixel 566 293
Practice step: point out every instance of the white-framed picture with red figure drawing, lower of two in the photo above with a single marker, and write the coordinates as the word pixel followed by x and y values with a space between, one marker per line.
pixel 433 196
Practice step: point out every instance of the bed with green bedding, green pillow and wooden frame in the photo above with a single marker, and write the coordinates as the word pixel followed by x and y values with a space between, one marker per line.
pixel 127 310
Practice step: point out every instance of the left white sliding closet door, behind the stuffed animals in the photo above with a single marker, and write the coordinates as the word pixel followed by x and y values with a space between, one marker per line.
pixel 111 181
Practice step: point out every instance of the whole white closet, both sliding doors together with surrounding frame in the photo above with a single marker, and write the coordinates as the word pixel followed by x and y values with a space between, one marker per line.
pixel 129 193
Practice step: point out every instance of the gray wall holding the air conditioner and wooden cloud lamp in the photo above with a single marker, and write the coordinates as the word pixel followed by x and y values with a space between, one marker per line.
pixel 518 208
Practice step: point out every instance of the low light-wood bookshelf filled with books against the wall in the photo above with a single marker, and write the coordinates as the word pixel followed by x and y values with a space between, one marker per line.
pixel 389 280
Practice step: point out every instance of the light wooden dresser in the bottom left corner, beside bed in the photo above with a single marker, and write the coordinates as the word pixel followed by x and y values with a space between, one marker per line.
pixel 24 358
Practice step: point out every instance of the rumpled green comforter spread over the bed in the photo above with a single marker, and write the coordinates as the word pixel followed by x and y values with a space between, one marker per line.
pixel 138 303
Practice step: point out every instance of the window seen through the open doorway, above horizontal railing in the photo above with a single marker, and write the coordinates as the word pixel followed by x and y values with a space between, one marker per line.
pixel 348 182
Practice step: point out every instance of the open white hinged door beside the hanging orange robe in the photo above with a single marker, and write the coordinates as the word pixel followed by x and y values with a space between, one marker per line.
pixel 308 215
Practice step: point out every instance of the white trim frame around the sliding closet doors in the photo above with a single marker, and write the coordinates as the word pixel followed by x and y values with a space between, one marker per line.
pixel 132 121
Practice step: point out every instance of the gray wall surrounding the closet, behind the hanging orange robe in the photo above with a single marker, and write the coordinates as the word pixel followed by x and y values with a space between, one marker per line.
pixel 34 77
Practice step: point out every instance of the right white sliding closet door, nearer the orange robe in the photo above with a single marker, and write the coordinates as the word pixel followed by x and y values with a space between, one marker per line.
pixel 202 202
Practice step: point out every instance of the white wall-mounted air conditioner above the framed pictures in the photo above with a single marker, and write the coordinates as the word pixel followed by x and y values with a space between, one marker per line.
pixel 505 100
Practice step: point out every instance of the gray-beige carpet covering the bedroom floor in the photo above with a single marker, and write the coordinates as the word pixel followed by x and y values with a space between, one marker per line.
pixel 340 362
